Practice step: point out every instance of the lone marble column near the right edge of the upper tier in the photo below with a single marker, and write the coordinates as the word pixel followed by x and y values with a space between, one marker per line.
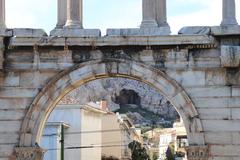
pixel 228 13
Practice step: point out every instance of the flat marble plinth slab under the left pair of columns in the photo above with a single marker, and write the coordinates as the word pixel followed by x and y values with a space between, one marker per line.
pixel 75 32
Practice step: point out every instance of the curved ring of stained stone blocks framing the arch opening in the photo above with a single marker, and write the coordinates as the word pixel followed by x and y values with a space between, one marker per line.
pixel 66 81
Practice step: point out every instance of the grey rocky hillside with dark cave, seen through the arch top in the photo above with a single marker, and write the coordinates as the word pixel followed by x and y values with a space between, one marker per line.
pixel 140 101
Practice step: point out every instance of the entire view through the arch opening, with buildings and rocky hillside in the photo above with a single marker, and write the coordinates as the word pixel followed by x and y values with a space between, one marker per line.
pixel 102 118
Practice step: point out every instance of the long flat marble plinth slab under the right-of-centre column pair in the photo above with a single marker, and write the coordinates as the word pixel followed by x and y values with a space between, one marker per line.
pixel 156 31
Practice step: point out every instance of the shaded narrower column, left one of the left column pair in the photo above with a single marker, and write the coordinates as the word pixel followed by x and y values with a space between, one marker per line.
pixel 62 13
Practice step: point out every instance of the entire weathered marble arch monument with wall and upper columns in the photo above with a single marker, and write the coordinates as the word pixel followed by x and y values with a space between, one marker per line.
pixel 197 70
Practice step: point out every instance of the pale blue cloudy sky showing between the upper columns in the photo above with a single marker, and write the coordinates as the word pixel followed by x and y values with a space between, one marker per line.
pixel 104 14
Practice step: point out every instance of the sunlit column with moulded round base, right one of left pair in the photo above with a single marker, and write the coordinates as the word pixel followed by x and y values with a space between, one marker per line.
pixel 74 14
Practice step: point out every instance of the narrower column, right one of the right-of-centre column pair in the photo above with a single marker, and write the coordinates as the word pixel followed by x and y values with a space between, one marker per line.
pixel 161 13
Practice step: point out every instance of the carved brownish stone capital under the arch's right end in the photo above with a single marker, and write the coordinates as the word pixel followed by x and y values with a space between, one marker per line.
pixel 197 152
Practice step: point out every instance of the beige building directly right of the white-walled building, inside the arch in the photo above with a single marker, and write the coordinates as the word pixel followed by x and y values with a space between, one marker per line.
pixel 122 132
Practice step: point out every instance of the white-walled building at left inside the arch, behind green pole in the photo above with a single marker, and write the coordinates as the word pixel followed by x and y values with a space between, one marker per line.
pixel 83 132
